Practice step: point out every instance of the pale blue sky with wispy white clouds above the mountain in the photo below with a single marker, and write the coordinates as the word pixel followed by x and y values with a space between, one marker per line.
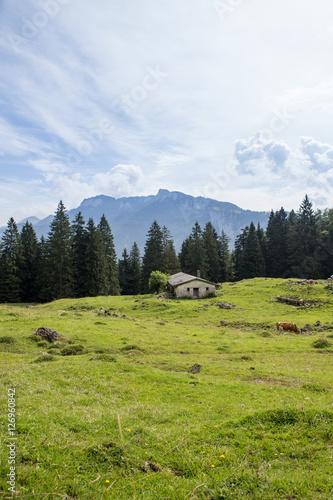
pixel 226 99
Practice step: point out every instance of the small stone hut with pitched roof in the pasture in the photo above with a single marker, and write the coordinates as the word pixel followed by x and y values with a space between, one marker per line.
pixel 193 287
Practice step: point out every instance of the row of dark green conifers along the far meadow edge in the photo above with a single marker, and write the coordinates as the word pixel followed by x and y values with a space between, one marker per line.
pixel 78 259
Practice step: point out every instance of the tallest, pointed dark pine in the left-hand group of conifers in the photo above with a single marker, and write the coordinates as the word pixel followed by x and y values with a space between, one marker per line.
pixel 59 258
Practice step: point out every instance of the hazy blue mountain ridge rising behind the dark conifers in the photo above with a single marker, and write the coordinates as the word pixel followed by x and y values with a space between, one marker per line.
pixel 131 217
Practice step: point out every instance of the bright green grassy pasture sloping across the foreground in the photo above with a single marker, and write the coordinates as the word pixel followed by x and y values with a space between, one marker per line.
pixel 119 413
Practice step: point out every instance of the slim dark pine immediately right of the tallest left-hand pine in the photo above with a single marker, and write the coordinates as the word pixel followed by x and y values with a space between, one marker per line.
pixel 79 254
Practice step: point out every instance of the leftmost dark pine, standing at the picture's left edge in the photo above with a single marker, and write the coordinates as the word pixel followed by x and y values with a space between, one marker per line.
pixel 10 258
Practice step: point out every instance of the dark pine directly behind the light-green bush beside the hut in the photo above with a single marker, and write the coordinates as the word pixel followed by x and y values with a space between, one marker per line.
pixel 153 258
